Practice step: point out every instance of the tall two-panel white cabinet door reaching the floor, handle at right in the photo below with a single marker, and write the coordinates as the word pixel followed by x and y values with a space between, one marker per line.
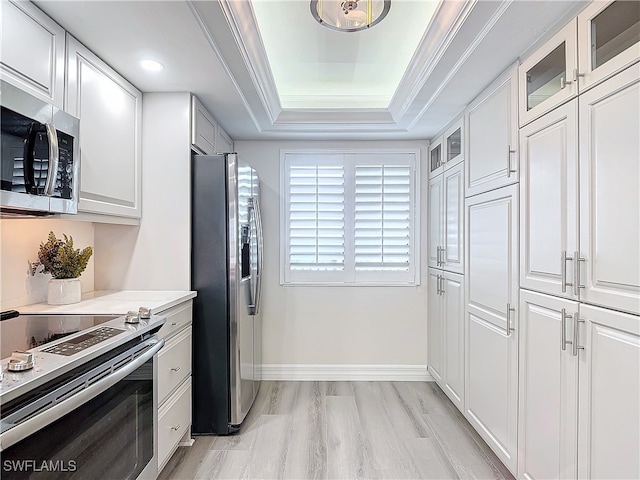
pixel 491 388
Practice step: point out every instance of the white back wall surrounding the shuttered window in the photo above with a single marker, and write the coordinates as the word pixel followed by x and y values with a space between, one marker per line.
pixel 305 325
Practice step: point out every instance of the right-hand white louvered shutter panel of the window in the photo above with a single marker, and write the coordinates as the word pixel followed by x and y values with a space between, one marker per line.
pixel 383 227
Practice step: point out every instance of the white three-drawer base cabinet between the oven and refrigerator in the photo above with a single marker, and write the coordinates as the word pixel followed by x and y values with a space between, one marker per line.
pixel 174 381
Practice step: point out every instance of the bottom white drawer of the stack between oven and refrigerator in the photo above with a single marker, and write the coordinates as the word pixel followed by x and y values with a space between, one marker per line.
pixel 174 419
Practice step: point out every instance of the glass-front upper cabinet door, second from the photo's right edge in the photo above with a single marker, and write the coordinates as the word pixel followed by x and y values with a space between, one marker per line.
pixel 548 77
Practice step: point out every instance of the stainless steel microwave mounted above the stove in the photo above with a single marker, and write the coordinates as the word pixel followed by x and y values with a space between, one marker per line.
pixel 40 162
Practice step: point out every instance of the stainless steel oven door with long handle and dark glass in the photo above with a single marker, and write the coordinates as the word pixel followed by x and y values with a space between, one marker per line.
pixel 100 424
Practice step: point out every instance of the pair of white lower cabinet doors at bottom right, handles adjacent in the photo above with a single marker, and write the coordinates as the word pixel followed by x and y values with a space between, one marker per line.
pixel 579 390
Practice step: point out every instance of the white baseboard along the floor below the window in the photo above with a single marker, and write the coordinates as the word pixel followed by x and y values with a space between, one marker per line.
pixel 302 372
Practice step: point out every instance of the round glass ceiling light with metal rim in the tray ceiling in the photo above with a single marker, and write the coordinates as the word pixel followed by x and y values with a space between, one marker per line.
pixel 349 15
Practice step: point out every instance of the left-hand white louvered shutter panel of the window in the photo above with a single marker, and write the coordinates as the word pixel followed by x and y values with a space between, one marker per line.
pixel 316 217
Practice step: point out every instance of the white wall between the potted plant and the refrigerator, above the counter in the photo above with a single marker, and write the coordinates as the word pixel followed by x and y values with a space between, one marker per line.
pixel 155 255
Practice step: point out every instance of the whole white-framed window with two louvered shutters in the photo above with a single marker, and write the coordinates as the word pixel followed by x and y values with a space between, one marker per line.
pixel 349 218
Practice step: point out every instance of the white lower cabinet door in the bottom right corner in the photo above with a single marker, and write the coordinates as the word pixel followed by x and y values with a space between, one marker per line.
pixel 609 437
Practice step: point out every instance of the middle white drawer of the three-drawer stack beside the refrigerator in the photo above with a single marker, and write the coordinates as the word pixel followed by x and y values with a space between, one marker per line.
pixel 174 363
